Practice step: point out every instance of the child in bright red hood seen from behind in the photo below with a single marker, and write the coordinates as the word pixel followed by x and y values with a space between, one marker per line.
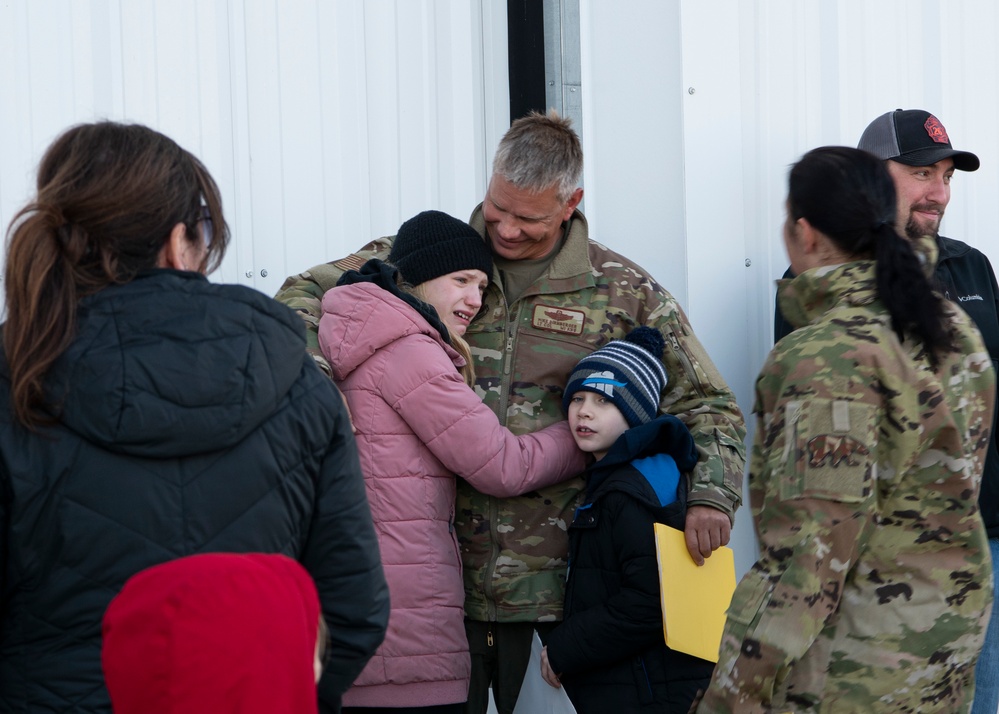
pixel 214 633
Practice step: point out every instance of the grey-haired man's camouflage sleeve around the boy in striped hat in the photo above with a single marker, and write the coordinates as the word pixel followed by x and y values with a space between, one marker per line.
pixel 698 395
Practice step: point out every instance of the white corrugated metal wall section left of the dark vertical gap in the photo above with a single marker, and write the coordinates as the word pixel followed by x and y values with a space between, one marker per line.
pixel 325 123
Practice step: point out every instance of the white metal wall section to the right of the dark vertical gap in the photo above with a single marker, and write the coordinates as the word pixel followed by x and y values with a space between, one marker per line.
pixel 694 109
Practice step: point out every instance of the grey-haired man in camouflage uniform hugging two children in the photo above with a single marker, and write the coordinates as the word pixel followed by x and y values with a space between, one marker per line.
pixel 555 297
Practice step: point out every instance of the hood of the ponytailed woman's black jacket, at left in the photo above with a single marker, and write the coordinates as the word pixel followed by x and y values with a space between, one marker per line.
pixel 171 365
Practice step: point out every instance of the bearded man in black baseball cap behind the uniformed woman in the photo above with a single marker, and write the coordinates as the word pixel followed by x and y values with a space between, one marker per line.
pixel 921 160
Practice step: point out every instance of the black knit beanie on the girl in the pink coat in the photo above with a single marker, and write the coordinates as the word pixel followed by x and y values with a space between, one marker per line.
pixel 432 244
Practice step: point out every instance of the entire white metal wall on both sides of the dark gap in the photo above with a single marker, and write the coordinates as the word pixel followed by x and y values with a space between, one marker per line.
pixel 329 122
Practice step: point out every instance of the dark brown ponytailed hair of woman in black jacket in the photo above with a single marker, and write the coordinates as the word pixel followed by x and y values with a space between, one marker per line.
pixel 108 197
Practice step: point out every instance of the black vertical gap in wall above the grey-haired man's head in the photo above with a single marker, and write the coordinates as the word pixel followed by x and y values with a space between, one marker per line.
pixel 526 45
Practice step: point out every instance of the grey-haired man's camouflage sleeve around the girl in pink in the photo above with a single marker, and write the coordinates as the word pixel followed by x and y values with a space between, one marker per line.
pixel 304 292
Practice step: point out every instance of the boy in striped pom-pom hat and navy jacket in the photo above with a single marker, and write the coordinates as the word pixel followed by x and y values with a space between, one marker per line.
pixel 610 651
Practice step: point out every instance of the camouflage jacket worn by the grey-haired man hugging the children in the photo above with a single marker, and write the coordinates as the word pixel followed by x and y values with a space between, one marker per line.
pixel 514 549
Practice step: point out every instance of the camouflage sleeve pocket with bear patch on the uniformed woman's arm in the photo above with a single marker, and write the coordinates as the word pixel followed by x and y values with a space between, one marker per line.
pixel 829 447
